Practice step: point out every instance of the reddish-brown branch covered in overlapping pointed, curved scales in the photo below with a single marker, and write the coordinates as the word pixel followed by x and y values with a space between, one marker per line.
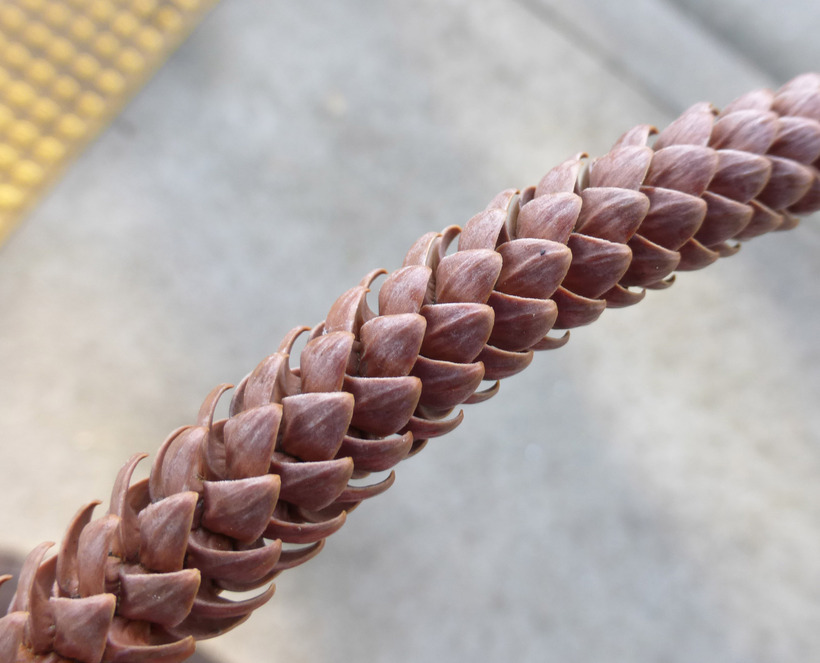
pixel 230 504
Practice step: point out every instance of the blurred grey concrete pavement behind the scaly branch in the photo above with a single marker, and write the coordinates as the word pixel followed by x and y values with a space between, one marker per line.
pixel 647 493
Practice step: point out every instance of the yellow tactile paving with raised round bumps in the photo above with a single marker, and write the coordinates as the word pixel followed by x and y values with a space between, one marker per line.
pixel 66 68
